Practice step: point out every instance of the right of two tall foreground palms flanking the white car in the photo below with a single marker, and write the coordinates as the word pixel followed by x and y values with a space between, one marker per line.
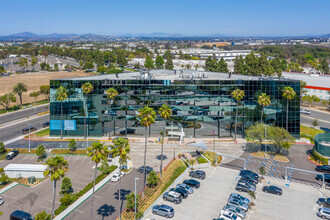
pixel 120 148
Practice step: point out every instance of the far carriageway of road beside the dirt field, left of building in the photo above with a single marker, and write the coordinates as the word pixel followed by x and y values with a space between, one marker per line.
pixel 5 118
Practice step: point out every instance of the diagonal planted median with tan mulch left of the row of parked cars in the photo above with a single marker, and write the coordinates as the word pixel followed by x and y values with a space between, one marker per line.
pixel 172 171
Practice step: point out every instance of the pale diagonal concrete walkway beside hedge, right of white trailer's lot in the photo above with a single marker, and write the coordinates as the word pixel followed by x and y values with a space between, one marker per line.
pixel 85 196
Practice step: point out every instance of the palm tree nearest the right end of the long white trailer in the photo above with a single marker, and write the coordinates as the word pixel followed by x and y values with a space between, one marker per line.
pixel 57 166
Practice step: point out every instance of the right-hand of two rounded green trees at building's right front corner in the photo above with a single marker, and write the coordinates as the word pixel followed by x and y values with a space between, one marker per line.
pixel 280 138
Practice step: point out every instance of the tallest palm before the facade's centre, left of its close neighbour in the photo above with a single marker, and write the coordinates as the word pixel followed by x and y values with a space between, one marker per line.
pixel 147 117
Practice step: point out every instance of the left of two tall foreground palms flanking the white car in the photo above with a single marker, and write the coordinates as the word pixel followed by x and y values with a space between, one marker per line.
pixel 98 153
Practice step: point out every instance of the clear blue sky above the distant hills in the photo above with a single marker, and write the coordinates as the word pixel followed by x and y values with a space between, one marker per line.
pixel 186 17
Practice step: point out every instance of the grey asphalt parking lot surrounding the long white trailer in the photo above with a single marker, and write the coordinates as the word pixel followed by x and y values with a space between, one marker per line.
pixel 38 198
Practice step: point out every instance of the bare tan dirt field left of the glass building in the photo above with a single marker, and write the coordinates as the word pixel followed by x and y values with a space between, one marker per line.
pixel 34 81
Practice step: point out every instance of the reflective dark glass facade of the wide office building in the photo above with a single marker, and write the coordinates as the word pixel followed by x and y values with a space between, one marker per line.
pixel 199 106
